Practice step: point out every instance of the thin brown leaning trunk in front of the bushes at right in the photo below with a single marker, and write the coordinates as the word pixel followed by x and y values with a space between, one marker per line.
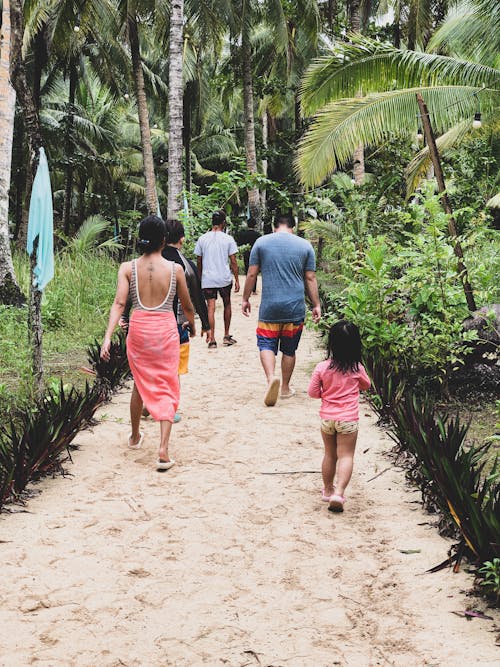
pixel 452 230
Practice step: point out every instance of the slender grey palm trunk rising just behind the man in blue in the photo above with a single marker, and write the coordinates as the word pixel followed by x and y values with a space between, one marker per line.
pixel 251 153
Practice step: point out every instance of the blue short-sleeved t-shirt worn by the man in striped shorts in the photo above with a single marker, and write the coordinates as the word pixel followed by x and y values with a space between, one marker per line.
pixel 283 259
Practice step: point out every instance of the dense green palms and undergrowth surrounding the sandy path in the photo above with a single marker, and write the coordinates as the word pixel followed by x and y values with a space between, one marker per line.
pixel 256 106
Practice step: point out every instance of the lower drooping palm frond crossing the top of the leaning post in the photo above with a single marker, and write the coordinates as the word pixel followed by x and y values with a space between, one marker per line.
pixel 343 125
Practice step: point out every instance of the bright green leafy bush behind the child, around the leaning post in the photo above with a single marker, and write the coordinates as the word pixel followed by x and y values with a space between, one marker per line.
pixel 403 290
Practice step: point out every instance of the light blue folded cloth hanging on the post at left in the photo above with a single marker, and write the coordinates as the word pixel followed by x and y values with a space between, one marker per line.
pixel 41 225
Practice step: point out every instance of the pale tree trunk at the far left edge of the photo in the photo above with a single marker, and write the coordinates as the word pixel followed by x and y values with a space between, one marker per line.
pixel 10 294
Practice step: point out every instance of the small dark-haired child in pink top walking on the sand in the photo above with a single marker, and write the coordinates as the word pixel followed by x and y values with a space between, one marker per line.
pixel 338 381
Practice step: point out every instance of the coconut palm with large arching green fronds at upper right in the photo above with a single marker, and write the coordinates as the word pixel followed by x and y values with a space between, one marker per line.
pixel 453 88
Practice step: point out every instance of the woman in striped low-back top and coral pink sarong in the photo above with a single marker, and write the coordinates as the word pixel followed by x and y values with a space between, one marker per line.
pixel 153 338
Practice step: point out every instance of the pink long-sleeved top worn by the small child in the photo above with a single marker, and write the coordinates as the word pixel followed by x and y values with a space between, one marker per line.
pixel 339 392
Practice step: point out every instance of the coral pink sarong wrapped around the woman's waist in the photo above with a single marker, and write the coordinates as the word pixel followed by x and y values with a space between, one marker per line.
pixel 153 357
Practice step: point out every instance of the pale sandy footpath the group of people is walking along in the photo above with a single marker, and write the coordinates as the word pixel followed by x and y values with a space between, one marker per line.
pixel 214 563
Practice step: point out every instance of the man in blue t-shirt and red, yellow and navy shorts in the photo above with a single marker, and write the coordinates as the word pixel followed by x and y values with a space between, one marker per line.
pixel 288 267
